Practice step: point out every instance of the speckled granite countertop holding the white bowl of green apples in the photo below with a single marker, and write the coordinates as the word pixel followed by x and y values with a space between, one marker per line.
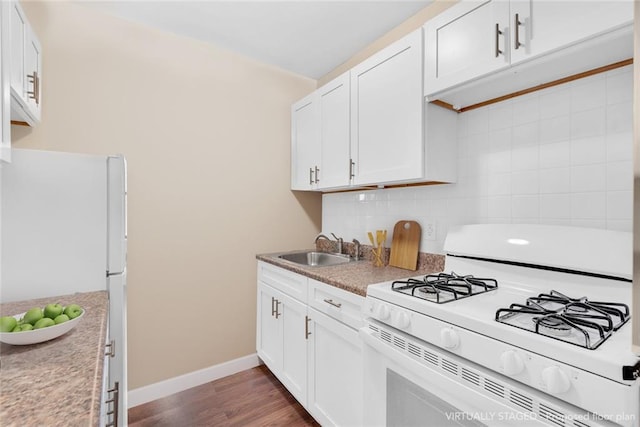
pixel 58 382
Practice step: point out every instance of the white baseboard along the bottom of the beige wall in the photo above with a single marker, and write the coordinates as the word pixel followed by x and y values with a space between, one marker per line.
pixel 192 379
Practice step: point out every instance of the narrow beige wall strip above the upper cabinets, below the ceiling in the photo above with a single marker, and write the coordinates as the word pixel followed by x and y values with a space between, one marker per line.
pixel 411 24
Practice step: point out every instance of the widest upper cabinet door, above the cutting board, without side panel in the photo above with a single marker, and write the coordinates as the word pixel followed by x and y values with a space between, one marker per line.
pixel 386 102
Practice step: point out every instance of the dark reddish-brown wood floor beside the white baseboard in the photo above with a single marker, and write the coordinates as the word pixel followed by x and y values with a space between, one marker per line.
pixel 249 398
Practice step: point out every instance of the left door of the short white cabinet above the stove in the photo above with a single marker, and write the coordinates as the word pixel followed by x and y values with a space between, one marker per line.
pixel 464 42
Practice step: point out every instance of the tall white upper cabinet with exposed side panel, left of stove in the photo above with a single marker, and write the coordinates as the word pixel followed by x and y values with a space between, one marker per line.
pixel 395 138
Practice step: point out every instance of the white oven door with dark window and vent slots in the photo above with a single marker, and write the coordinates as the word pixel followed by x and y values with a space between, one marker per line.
pixel 408 382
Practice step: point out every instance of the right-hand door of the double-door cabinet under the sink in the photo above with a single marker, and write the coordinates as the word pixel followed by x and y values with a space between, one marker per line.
pixel 294 353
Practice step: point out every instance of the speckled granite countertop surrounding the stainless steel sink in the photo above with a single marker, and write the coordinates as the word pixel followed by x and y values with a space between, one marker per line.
pixel 357 275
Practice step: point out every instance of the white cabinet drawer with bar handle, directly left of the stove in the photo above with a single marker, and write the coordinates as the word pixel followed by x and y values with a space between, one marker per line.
pixel 336 303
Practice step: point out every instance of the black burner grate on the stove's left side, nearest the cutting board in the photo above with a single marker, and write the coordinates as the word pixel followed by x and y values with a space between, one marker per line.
pixel 443 287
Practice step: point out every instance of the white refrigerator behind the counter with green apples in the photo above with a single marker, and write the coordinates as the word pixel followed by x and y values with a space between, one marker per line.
pixel 63 230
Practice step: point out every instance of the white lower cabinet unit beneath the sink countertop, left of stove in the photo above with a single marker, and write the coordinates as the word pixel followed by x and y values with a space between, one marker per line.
pixel 310 342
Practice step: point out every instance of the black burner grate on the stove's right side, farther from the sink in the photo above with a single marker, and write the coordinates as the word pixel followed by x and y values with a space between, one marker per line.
pixel 577 321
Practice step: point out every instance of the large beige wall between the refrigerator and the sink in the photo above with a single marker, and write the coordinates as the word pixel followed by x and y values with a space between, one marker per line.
pixel 206 134
